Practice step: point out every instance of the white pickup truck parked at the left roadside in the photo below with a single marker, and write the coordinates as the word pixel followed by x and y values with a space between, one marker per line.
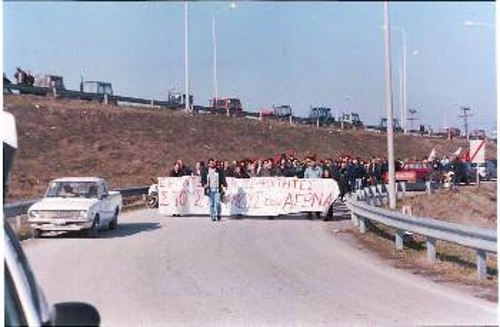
pixel 76 204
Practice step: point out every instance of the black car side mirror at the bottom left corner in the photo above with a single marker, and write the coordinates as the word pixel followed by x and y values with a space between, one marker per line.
pixel 75 314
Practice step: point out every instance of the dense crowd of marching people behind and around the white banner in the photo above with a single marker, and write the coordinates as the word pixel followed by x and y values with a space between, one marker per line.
pixel 351 173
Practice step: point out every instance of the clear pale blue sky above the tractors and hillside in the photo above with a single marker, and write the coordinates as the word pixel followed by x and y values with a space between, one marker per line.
pixel 269 53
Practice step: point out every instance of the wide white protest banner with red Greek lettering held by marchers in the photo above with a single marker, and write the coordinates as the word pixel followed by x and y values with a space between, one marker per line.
pixel 259 196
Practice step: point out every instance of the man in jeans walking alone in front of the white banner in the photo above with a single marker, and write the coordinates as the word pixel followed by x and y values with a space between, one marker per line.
pixel 213 180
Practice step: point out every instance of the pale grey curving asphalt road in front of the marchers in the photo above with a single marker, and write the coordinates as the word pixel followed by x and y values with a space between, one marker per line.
pixel 155 270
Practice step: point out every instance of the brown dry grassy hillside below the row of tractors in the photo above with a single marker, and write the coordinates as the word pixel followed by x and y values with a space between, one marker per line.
pixel 130 146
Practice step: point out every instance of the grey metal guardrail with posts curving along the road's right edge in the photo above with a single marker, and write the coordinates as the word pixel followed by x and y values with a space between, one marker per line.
pixel 482 240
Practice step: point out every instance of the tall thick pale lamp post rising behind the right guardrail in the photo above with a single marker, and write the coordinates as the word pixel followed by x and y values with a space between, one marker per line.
pixel 388 99
